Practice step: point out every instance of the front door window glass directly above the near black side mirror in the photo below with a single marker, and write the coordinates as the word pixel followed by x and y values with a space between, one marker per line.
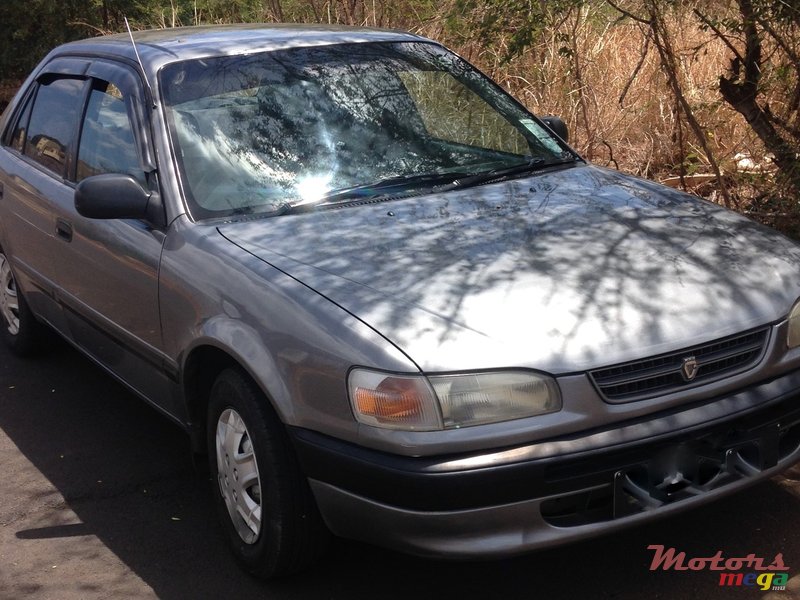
pixel 107 144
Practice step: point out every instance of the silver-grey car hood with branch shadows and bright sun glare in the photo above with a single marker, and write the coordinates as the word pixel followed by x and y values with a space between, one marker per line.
pixel 565 270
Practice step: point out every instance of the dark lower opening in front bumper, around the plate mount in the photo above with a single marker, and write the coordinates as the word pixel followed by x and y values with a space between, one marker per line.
pixel 611 484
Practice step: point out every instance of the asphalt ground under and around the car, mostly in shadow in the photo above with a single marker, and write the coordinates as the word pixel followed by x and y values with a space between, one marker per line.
pixel 99 499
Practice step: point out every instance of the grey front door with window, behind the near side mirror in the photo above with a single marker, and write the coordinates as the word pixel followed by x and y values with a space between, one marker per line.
pixel 108 268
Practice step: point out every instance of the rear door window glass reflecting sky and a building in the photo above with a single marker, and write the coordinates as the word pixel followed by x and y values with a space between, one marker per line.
pixel 53 123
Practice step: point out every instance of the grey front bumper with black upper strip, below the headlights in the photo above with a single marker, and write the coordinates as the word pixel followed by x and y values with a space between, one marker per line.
pixel 512 500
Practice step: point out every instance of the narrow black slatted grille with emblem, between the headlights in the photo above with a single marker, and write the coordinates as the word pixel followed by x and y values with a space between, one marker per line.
pixel 666 373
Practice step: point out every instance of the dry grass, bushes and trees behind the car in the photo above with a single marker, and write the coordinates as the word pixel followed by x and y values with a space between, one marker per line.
pixel 704 94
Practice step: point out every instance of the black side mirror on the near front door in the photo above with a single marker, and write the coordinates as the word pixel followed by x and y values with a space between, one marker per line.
pixel 116 196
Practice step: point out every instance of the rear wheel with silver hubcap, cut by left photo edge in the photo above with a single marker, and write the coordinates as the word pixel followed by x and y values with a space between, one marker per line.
pixel 21 332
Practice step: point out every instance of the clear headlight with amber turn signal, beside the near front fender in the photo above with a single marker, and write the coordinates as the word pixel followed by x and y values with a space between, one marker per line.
pixel 414 402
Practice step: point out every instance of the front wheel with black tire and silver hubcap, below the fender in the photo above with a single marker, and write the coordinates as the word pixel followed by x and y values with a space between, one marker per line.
pixel 283 532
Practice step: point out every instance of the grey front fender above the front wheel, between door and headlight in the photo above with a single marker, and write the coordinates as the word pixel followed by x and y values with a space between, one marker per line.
pixel 295 343
